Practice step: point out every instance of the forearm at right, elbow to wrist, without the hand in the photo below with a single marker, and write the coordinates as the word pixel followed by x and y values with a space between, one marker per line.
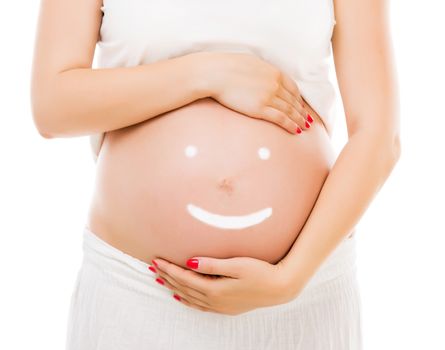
pixel 359 172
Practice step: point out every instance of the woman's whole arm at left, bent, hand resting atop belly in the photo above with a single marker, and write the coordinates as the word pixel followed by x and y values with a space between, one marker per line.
pixel 69 98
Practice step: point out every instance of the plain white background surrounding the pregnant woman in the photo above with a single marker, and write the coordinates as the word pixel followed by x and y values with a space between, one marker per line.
pixel 46 186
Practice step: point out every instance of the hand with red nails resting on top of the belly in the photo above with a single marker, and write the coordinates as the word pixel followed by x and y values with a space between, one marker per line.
pixel 246 83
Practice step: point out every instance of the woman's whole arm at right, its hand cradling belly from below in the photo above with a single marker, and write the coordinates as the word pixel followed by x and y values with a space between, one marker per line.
pixel 367 79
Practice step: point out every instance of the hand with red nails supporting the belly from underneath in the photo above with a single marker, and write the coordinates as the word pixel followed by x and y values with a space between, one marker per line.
pixel 229 286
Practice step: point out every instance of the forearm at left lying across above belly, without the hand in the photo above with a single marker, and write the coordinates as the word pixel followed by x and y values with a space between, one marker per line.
pixel 83 101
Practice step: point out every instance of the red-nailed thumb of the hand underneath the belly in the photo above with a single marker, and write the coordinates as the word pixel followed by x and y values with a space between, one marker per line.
pixel 229 267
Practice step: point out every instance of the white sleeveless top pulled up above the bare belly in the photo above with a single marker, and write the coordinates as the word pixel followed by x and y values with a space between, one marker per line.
pixel 294 35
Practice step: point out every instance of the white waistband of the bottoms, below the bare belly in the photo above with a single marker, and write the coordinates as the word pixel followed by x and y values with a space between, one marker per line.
pixel 133 274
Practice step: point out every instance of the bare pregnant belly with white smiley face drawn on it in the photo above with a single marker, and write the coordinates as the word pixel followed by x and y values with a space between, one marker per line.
pixel 205 180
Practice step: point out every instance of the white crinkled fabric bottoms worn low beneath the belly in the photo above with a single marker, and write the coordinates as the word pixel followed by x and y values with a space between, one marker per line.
pixel 117 305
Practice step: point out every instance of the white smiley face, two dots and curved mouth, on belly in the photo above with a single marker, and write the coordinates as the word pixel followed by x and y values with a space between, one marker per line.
pixel 228 221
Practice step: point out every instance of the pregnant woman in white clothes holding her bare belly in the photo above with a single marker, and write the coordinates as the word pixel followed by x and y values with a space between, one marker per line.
pixel 221 217
